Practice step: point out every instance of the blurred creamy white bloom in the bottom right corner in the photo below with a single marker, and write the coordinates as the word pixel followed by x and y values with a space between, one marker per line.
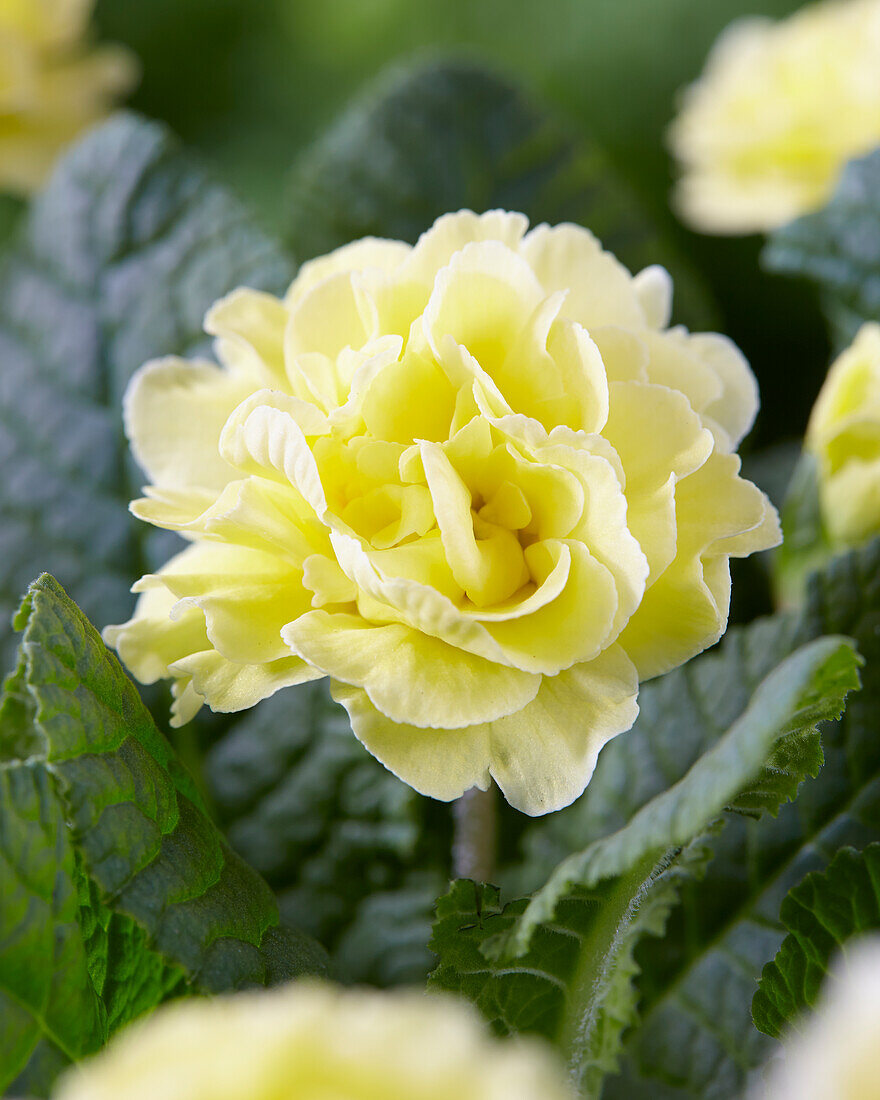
pixel 835 1055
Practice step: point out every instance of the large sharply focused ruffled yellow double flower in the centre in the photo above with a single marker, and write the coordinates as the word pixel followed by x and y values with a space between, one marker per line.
pixel 478 482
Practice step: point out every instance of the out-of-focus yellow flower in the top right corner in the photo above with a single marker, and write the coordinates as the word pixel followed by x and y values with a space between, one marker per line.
pixel 780 108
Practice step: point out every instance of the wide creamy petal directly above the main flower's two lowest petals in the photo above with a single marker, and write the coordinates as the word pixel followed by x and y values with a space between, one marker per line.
pixel 409 677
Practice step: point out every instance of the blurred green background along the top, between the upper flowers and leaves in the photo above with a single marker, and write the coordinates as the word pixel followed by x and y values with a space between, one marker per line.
pixel 251 83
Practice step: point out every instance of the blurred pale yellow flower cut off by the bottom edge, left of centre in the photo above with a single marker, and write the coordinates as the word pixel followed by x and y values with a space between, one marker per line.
pixel 310 1042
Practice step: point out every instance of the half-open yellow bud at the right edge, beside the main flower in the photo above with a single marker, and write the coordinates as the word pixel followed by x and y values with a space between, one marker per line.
pixel 844 434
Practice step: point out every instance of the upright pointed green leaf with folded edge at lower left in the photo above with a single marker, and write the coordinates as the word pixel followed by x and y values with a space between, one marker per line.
pixel 118 890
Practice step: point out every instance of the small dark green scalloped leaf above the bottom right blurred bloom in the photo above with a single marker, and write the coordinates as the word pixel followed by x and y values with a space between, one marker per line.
pixel 822 915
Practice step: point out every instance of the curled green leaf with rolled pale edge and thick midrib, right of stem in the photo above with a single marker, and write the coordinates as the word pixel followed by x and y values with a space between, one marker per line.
pixel 562 962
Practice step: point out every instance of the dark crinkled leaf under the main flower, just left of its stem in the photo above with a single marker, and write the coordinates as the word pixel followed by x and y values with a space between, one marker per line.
pixel 334 832
